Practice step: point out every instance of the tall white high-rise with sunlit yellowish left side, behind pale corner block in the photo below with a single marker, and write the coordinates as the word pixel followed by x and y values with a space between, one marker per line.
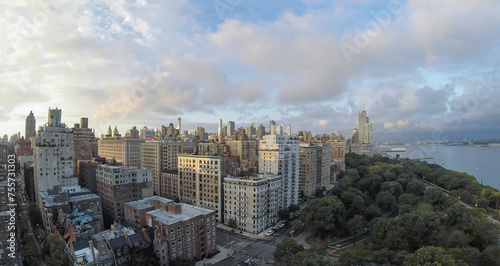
pixel 279 155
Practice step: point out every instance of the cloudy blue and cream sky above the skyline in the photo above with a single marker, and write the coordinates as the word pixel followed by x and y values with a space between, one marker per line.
pixel 422 70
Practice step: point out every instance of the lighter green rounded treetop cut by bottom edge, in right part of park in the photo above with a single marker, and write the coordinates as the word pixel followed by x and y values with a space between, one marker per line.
pixel 430 256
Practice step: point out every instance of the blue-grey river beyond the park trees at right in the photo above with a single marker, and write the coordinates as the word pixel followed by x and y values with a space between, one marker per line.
pixel 480 162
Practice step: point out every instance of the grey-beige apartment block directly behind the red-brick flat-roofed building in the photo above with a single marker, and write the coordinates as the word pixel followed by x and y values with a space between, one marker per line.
pixel 118 185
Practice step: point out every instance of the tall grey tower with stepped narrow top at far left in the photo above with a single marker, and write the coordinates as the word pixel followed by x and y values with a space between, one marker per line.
pixel 53 153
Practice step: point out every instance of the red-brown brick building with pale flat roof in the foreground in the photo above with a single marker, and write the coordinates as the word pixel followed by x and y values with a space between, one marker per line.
pixel 181 230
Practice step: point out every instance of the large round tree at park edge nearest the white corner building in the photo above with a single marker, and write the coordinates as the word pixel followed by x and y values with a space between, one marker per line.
pixel 324 214
